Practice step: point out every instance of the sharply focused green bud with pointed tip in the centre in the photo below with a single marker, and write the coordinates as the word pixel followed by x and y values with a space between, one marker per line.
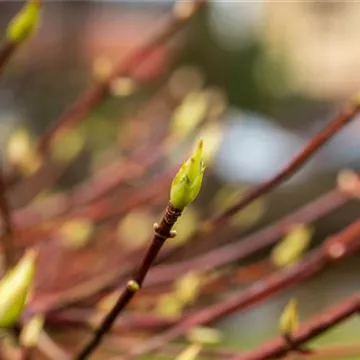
pixel 187 182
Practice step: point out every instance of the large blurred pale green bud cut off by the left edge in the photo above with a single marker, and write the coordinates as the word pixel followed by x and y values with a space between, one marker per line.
pixel 15 288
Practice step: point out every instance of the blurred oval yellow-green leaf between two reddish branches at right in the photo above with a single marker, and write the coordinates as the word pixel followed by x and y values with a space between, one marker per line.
pixel 291 248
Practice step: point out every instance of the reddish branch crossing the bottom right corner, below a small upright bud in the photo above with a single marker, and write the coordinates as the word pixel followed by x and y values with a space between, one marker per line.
pixel 316 326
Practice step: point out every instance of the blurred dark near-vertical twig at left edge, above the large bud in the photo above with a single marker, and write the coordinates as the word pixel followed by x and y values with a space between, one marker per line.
pixel 7 237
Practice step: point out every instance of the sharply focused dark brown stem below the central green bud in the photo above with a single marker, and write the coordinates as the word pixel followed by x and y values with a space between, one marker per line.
pixel 162 232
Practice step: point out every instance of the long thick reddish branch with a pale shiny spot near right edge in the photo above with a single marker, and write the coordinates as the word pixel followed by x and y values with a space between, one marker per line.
pixel 337 247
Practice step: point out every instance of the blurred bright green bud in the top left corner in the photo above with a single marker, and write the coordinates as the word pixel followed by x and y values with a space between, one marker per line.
pixel 24 23
